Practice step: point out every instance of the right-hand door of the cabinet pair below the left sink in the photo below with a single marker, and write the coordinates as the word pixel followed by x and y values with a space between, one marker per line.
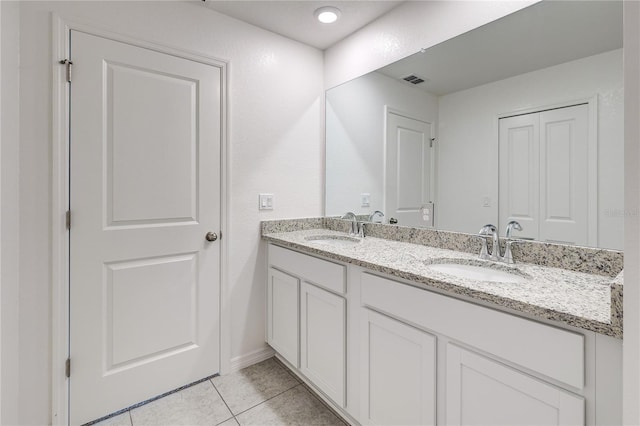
pixel 323 340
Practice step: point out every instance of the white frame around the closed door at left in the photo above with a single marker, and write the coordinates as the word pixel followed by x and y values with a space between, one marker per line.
pixel 60 260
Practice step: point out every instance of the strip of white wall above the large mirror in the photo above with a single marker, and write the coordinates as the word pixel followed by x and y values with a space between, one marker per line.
pixel 407 29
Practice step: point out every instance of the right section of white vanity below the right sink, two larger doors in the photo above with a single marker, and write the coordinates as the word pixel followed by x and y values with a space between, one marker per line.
pixel 492 368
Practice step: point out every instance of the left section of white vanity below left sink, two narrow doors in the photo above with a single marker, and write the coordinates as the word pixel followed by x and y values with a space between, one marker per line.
pixel 306 318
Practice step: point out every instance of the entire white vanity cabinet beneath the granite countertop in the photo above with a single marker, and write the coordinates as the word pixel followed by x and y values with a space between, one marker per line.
pixel 383 350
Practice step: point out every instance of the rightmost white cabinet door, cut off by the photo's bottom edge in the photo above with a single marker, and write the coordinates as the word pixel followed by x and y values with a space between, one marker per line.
pixel 480 391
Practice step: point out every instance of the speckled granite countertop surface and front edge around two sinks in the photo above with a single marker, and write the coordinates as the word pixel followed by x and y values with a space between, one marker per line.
pixel 579 299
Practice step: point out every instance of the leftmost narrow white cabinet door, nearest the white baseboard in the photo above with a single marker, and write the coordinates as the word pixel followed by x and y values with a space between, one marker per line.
pixel 282 315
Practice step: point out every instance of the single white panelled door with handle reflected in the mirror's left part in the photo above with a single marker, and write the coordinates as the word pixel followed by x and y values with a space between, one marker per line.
pixel 408 169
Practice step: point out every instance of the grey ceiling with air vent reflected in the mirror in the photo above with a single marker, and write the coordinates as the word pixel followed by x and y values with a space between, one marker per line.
pixel 540 36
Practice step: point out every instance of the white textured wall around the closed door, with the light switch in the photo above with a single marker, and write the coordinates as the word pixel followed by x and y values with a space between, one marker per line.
pixel 275 130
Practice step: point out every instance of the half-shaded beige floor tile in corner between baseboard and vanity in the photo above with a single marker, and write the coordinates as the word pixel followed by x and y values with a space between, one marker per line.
pixel 253 385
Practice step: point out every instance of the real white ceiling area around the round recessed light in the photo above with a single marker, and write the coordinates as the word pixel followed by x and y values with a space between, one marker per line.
pixel 295 18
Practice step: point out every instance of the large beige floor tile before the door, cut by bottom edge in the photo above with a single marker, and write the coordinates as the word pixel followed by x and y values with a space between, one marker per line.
pixel 197 405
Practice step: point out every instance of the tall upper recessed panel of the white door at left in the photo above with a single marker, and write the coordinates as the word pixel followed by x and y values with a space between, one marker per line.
pixel 167 191
